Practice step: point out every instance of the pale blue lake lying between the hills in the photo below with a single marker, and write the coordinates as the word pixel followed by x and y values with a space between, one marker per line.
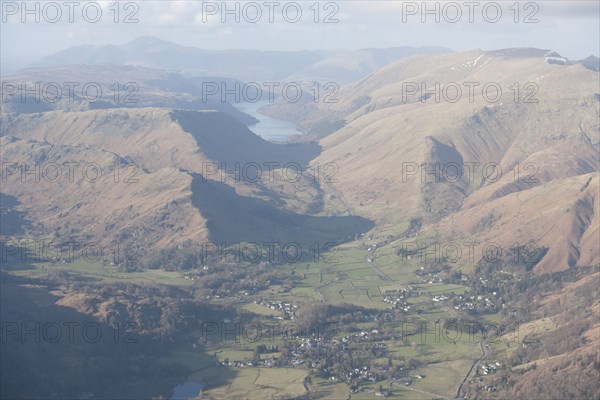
pixel 269 128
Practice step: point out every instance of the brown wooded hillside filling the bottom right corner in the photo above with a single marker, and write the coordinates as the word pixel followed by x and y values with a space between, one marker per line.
pixel 559 361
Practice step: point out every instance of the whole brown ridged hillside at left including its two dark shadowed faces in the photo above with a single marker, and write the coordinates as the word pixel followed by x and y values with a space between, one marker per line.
pixel 160 174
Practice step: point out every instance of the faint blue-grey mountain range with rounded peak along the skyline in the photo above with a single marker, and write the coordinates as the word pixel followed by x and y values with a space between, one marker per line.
pixel 340 66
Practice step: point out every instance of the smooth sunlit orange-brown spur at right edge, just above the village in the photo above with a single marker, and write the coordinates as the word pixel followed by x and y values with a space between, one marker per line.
pixel 562 216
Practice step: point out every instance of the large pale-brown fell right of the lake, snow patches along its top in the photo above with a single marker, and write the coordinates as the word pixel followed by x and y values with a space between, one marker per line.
pixel 506 151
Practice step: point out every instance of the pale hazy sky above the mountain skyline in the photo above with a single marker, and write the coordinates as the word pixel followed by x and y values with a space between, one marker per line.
pixel 569 27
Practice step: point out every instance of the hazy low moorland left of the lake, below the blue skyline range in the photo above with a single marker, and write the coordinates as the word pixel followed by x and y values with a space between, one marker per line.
pixel 138 87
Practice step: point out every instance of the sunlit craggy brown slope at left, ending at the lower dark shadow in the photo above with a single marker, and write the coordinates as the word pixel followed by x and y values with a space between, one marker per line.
pixel 98 196
